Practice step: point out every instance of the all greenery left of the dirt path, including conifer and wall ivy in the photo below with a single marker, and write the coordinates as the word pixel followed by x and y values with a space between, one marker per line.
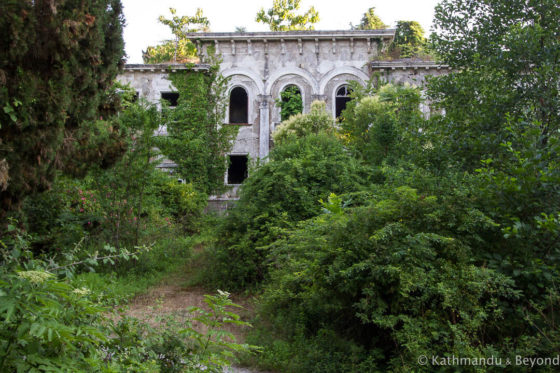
pixel 88 219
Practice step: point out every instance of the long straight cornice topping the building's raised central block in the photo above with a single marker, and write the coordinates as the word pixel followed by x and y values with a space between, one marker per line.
pixel 292 35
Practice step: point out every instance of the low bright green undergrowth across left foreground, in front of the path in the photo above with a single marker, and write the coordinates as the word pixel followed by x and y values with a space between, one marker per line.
pixel 50 325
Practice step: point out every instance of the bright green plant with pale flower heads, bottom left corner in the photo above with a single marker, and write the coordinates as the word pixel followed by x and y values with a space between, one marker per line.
pixel 46 324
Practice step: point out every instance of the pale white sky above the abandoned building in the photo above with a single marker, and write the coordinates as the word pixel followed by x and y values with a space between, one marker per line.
pixel 143 29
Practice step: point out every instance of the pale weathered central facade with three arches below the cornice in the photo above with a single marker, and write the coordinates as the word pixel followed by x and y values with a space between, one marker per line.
pixel 317 62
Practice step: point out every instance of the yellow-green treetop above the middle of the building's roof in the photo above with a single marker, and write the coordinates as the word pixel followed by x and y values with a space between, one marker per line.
pixel 283 17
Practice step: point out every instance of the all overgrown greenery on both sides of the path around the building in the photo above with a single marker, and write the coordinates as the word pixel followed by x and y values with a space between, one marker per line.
pixel 368 245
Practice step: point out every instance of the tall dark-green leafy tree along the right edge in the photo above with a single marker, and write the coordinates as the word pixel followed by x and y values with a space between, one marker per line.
pixel 502 119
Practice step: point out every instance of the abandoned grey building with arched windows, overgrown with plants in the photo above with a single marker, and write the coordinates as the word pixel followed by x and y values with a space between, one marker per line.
pixel 317 64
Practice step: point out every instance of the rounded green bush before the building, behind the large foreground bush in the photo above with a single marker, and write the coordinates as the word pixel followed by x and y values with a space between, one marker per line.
pixel 275 196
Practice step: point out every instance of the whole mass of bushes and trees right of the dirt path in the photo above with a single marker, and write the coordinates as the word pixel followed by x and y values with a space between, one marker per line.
pixel 446 244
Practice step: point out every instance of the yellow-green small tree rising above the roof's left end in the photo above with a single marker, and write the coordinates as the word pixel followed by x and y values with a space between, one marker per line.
pixel 180 49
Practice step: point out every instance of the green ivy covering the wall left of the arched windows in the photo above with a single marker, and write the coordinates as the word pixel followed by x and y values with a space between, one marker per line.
pixel 197 141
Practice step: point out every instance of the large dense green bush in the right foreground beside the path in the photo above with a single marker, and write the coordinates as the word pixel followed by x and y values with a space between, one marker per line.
pixel 395 277
